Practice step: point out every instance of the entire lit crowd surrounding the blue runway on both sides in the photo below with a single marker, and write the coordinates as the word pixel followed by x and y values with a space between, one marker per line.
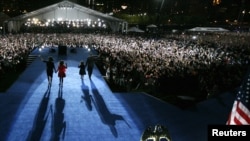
pixel 208 62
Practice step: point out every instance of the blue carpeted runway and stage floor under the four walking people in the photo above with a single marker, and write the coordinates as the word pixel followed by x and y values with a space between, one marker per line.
pixel 89 111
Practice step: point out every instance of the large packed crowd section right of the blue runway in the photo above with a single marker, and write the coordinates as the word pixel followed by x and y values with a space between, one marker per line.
pixel 213 62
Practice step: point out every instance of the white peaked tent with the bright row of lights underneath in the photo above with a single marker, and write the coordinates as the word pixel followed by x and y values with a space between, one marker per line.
pixel 67 12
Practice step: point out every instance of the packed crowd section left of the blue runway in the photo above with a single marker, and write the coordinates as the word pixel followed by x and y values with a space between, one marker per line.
pixel 13 52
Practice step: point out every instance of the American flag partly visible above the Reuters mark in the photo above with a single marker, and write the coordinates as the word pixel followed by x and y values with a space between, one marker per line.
pixel 240 113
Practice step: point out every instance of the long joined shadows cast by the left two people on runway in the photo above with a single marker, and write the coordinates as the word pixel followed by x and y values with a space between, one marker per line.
pixel 58 124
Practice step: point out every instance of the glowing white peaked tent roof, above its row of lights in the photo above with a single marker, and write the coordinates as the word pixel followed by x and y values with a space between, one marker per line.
pixel 66 11
